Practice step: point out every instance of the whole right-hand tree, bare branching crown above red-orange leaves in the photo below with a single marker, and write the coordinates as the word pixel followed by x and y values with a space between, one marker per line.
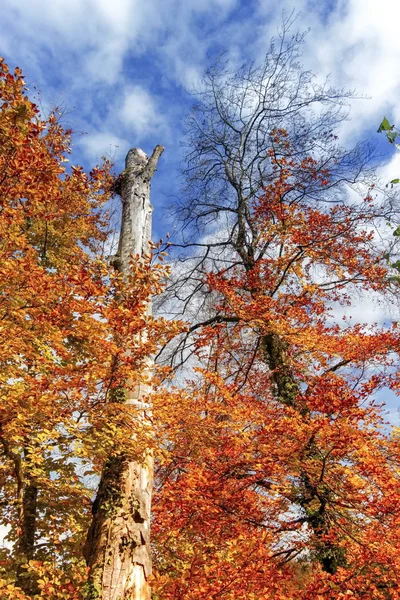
pixel 287 483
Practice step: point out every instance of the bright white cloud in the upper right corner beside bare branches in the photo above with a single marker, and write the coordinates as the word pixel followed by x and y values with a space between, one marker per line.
pixel 357 43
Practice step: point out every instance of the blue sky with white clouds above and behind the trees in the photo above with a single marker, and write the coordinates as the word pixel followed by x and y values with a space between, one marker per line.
pixel 122 70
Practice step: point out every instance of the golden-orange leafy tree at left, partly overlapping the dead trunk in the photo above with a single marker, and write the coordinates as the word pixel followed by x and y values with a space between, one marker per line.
pixel 75 333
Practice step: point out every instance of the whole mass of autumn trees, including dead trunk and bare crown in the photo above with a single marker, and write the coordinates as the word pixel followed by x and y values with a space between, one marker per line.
pixel 276 474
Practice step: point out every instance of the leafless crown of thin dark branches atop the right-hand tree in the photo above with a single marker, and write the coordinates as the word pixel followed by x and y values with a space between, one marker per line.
pixel 230 136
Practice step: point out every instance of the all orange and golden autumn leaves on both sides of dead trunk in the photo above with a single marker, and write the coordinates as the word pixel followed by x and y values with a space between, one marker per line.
pixel 276 474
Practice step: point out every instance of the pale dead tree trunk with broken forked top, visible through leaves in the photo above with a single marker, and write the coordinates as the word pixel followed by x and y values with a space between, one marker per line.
pixel 117 548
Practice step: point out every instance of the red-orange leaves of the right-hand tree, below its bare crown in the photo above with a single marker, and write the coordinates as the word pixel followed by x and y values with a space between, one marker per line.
pixel 283 481
